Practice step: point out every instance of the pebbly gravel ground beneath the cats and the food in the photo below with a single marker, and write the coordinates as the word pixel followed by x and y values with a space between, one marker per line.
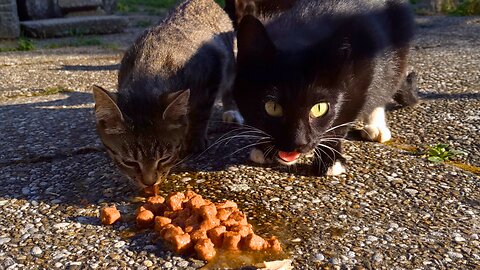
pixel 392 210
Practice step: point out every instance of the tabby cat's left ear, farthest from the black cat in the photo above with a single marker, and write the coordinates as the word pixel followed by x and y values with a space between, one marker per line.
pixel 108 116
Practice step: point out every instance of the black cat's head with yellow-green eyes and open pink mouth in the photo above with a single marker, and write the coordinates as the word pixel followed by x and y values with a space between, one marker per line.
pixel 287 95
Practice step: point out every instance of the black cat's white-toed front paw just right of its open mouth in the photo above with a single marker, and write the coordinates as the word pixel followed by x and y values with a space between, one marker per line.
pixel 328 159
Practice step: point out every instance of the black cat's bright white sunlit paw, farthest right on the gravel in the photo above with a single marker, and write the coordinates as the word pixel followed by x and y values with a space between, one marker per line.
pixel 375 126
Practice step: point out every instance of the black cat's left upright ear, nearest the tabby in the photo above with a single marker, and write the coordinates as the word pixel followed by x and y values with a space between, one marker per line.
pixel 254 44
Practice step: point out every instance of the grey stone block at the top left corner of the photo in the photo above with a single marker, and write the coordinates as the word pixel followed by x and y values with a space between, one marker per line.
pixel 9 25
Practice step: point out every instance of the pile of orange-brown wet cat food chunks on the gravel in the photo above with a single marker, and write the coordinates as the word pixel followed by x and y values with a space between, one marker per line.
pixel 189 223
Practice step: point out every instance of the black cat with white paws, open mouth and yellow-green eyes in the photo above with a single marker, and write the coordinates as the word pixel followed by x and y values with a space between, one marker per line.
pixel 305 76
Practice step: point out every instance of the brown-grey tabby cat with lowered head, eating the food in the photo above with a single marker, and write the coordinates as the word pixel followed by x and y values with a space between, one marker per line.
pixel 167 85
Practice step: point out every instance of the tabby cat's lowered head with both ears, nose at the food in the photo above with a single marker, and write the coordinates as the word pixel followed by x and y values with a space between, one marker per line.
pixel 144 142
